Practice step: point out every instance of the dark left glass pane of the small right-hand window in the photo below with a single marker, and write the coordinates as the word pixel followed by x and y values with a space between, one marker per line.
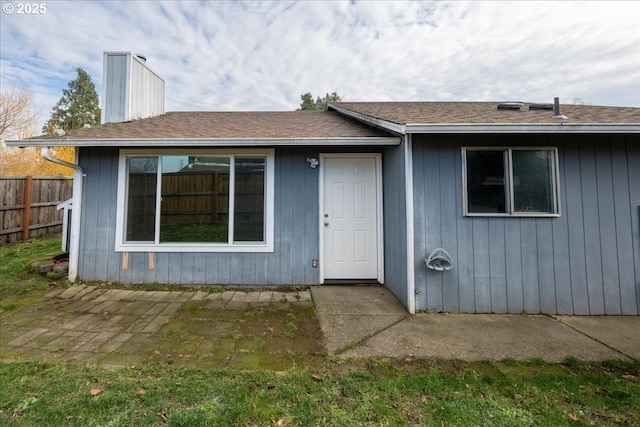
pixel 486 181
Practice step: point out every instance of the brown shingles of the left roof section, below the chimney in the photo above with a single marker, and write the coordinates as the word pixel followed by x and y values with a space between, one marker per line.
pixel 297 127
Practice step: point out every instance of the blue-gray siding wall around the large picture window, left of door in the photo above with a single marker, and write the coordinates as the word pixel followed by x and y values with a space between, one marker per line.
pixel 295 231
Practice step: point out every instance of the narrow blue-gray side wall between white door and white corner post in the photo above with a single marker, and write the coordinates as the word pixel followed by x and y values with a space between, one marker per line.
pixel 395 221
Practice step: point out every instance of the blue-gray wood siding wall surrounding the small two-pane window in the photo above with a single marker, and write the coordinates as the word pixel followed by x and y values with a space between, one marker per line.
pixel 587 261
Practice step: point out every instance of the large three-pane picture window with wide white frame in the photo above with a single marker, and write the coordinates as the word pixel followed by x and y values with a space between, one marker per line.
pixel 195 201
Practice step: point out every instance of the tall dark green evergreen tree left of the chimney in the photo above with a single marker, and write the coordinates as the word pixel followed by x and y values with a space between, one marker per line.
pixel 78 106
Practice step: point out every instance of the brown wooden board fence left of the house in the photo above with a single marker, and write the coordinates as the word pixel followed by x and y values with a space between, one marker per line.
pixel 28 206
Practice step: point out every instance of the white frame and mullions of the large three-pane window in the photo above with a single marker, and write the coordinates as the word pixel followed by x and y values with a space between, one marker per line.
pixel 269 187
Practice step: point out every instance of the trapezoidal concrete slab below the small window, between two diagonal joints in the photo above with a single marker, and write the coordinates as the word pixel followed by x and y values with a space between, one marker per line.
pixel 482 337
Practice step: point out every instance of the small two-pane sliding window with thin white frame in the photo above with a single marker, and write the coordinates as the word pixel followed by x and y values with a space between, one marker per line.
pixel 499 198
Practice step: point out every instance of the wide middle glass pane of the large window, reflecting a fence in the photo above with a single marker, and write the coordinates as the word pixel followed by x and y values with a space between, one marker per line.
pixel 195 199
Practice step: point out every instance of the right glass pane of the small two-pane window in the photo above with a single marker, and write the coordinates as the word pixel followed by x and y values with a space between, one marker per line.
pixel 533 181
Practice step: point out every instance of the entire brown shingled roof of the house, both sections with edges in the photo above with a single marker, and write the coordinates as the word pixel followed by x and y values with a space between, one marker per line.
pixel 346 123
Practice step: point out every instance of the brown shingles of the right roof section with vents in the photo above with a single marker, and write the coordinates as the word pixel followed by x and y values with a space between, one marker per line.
pixel 412 114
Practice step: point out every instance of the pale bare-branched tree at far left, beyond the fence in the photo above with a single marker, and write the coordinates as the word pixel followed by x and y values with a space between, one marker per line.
pixel 18 117
